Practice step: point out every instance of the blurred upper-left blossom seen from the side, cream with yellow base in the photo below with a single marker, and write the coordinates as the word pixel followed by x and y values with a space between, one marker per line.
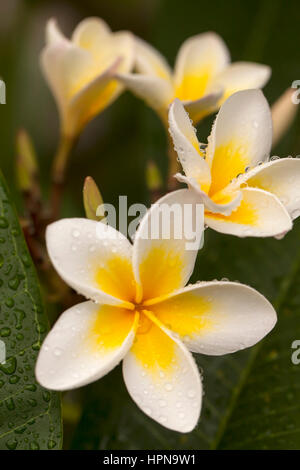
pixel 80 70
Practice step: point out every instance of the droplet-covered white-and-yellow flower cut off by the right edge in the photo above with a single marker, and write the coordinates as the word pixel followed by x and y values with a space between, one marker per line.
pixel 244 193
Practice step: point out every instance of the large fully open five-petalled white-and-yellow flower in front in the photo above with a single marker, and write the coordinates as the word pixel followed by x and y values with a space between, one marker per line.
pixel 141 312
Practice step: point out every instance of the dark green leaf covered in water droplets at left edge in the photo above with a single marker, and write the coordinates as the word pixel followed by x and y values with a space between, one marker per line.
pixel 29 415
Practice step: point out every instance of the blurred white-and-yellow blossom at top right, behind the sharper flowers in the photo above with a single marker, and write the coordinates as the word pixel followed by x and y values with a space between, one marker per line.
pixel 203 76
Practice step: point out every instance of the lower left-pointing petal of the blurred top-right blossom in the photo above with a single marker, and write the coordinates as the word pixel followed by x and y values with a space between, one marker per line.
pixel 155 91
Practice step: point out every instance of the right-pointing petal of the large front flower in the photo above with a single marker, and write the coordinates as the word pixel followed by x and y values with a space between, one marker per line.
pixel 217 317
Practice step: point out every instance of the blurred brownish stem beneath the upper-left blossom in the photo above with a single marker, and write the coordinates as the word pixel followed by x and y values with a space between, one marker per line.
pixel 60 161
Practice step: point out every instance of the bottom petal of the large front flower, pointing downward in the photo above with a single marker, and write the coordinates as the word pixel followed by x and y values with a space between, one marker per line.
pixel 162 378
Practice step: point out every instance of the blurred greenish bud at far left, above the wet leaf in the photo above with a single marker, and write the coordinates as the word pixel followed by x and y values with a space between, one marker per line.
pixel 26 165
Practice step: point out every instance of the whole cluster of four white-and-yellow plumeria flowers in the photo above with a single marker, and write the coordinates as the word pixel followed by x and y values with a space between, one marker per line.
pixel 140 308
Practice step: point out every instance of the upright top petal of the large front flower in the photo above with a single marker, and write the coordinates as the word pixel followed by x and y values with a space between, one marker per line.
pixel 166 244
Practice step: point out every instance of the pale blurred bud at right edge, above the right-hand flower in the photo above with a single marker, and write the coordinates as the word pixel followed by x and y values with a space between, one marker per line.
pixel 284 111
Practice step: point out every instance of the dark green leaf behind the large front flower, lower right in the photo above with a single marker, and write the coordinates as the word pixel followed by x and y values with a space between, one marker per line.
pixel 252 397
